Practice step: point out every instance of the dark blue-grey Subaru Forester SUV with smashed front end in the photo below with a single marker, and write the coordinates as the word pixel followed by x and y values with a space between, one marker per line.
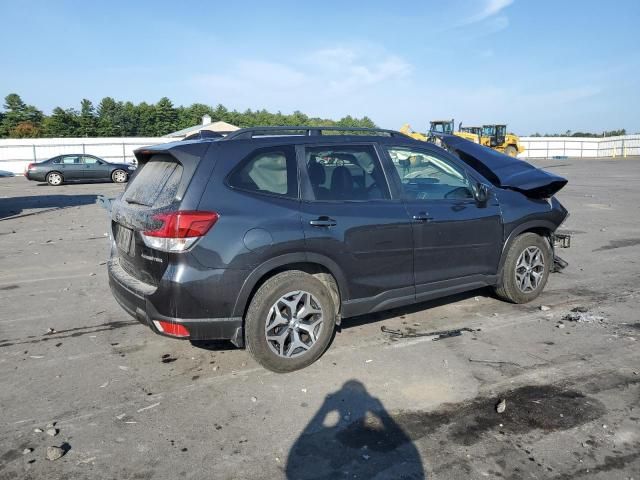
pixel 270 239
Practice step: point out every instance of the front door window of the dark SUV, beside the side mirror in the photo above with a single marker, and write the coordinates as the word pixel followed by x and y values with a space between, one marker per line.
pixel 428 176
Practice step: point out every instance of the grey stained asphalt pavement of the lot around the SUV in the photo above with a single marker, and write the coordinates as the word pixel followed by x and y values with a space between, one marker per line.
pixel 124 403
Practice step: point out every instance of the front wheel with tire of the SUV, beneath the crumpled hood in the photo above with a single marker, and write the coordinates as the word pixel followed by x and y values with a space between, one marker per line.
pixel 526 269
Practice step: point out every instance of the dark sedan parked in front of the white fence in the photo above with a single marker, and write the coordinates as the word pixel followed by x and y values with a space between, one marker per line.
pixel 77 167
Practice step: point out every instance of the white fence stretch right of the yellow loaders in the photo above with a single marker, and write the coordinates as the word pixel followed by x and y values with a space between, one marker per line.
pixel 581 147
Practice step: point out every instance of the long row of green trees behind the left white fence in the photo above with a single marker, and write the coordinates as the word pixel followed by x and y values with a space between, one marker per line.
pixel 112 118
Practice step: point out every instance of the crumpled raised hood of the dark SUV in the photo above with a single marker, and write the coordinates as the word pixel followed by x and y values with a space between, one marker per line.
pixel 504 171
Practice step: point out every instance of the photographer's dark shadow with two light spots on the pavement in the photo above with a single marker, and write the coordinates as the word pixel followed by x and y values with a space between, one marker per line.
pixel 353 436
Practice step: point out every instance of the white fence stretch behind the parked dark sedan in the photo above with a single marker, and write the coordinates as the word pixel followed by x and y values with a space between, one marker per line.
pixel 16 154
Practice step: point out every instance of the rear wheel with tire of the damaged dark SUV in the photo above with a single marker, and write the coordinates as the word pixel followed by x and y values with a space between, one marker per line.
pixel 290 321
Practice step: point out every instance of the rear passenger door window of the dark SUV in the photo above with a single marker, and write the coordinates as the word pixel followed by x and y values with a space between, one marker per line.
pixel 346 173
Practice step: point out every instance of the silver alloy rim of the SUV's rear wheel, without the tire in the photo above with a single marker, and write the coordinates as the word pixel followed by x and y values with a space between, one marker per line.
pixel 293 324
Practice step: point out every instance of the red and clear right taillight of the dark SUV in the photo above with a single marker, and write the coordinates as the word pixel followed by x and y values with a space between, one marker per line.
pixel 178 231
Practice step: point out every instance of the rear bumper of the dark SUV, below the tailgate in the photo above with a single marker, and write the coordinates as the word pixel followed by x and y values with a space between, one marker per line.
pixel 133 297
